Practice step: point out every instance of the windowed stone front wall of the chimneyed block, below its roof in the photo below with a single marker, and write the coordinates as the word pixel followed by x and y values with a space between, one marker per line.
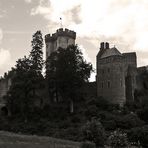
pixel 111 79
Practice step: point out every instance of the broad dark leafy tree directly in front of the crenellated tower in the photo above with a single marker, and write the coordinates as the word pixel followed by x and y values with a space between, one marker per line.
pixel 66 72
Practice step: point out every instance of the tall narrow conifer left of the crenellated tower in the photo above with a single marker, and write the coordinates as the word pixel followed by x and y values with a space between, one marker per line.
pixel 37 63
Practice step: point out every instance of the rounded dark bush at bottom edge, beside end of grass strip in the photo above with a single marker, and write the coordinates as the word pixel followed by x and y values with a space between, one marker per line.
pixel 93 131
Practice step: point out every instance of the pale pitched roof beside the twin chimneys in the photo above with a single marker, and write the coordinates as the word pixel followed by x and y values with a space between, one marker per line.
pixel 111 52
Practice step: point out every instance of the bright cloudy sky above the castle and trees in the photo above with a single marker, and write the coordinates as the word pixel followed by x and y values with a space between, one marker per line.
pixel 123 23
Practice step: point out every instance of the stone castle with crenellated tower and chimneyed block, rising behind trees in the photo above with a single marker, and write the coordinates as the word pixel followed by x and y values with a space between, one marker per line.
pixel 117 75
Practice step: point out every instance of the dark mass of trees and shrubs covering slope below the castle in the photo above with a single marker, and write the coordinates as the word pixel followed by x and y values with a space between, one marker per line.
pixel 53 105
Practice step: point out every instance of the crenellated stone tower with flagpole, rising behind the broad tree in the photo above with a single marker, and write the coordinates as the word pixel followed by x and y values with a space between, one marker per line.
pixel 62 38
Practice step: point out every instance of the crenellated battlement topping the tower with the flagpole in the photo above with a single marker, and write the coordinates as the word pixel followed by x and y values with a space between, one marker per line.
pixel 60 32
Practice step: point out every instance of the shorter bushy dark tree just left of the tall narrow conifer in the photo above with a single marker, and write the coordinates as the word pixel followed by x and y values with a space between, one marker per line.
pixel 19 94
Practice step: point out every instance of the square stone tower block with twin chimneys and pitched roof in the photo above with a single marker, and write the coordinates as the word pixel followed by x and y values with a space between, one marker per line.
pixel 115 74
